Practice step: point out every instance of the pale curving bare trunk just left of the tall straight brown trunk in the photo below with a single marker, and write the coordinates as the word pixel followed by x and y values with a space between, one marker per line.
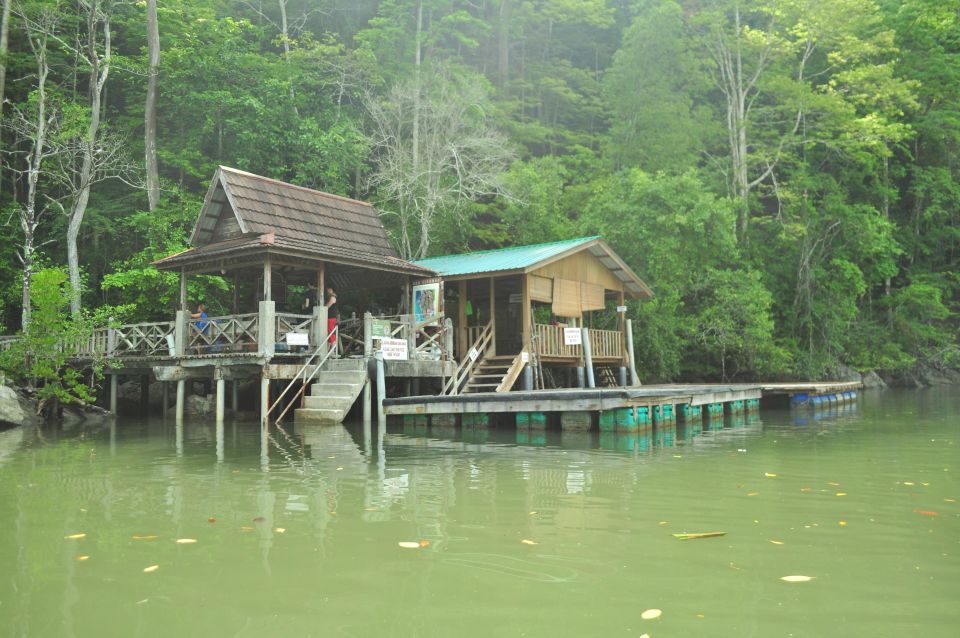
pixel 99 70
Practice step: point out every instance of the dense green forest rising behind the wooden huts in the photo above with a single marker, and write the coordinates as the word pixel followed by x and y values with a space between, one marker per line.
pixel 781 172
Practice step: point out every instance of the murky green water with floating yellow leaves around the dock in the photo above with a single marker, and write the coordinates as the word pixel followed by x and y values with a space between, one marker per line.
pixel 600 510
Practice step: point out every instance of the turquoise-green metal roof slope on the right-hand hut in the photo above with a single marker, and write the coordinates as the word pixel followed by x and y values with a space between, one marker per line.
pixel 513 258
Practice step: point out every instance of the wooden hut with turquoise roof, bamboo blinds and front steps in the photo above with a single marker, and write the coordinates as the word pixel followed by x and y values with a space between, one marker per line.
pixel 519 304
